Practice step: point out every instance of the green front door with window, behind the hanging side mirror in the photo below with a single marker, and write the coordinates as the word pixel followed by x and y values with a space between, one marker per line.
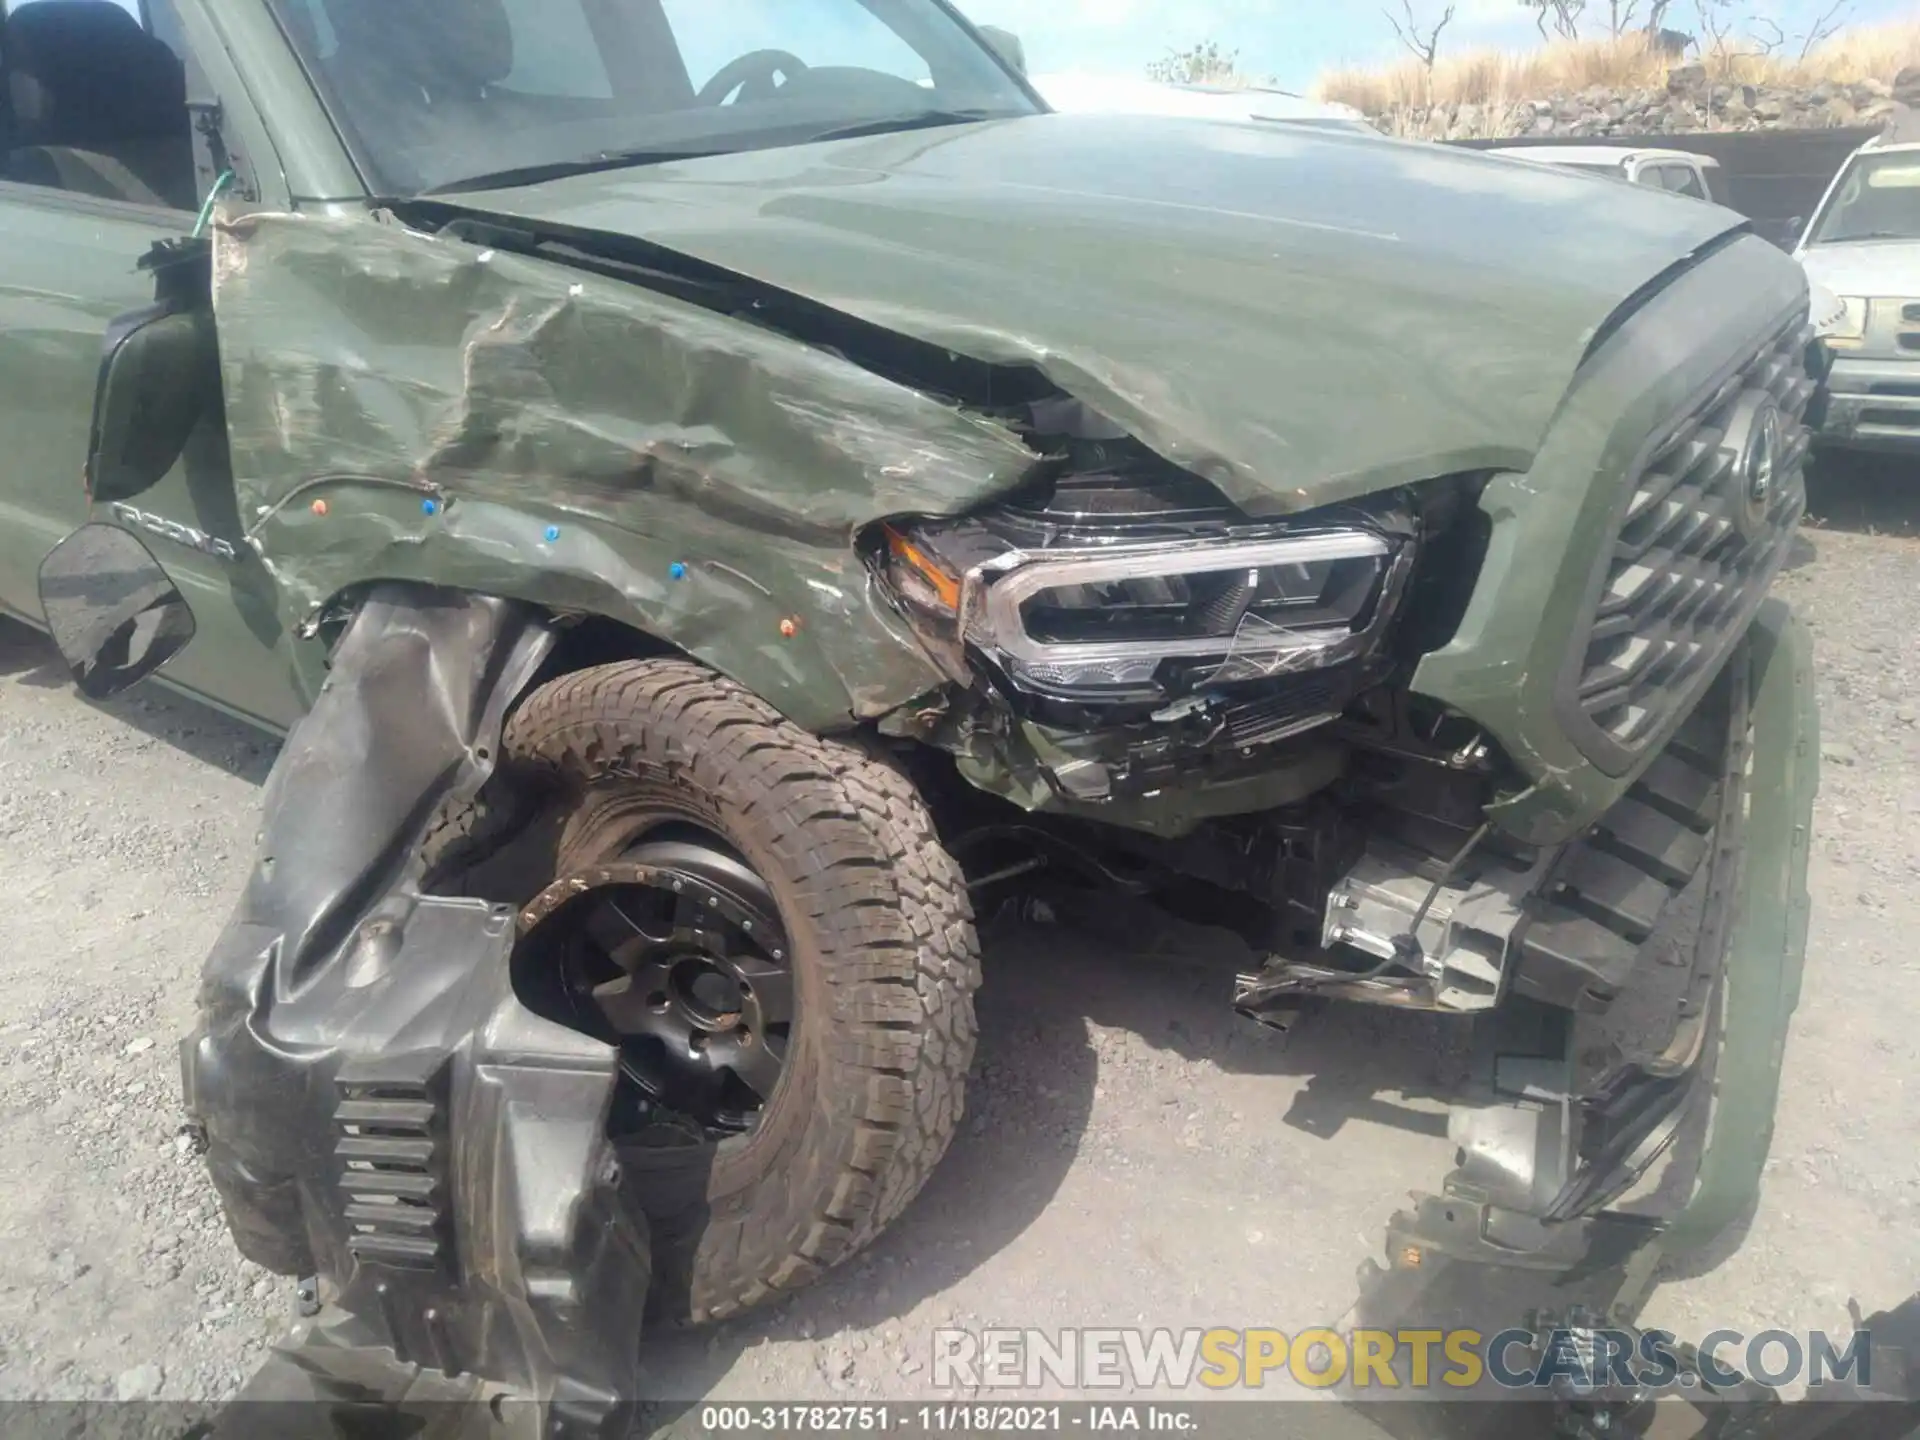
pixel 103 155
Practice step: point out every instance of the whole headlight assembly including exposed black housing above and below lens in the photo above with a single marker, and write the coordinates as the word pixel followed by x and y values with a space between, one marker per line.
pixel 1136 627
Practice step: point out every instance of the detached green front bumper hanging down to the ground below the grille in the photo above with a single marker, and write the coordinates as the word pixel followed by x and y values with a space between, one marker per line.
pixel 1570 1191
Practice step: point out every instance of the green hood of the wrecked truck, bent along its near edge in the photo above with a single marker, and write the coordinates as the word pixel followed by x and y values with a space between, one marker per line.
pixel 1297 316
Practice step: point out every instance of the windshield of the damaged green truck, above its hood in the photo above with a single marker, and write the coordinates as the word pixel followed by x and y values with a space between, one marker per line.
pixel 466 93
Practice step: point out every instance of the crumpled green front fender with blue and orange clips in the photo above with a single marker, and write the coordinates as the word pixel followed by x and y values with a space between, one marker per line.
pixel 416 408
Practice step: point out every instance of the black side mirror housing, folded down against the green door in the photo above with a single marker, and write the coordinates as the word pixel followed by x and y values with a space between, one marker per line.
pixel 160 375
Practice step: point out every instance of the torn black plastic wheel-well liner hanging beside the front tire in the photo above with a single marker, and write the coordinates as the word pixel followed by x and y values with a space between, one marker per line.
pixel 375 1105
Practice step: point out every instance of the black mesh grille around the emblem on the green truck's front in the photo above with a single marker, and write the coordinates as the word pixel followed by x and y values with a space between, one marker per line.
pixel 1694 554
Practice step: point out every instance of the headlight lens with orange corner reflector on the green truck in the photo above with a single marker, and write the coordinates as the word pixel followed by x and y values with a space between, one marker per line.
pixel 1153 619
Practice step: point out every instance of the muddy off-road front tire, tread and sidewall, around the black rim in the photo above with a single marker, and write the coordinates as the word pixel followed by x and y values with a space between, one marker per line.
pixel 884 949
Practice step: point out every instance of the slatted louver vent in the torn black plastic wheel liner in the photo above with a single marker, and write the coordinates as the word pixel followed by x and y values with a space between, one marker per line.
pixel 393 1172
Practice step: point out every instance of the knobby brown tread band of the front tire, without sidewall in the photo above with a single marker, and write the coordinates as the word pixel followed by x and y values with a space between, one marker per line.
pixel 875 878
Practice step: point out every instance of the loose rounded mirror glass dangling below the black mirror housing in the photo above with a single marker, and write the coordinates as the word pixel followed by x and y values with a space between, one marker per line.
pixel 112 612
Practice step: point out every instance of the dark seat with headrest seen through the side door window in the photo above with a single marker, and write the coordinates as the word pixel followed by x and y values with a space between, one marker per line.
pixel 85 74
